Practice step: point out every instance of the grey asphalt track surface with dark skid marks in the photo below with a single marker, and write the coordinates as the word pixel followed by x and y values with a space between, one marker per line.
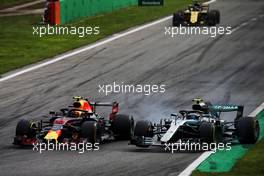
pixel 227 69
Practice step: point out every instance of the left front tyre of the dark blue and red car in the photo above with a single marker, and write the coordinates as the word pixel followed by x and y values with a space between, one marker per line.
pixel 24 127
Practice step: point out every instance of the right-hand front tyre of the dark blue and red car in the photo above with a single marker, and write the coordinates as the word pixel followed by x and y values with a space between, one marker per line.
pixel 91 131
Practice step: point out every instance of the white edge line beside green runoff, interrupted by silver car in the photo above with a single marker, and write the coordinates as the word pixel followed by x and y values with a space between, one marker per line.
pixel 188 171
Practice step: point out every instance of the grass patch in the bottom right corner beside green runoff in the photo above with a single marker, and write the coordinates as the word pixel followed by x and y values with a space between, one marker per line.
pixel 252 164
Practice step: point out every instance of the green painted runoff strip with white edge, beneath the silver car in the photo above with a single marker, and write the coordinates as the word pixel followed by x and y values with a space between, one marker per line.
pixel 224 160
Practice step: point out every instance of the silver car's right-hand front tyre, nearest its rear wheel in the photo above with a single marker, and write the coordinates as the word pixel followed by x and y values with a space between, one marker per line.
pixel 207 132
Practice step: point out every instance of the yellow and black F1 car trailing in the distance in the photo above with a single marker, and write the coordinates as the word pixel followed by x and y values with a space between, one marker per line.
pixel 196 14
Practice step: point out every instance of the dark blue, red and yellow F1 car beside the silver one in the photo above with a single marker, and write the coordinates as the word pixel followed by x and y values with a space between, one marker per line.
pixel 78 123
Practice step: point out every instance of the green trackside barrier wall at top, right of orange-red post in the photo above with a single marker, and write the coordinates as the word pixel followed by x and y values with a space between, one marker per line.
pixel 74 9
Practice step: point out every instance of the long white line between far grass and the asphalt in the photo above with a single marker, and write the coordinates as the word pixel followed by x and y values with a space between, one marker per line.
pixel 89 47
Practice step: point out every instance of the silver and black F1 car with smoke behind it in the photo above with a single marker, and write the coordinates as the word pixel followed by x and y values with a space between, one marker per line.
pixel 202 124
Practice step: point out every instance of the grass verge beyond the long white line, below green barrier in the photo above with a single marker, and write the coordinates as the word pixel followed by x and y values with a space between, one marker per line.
pixel 19 47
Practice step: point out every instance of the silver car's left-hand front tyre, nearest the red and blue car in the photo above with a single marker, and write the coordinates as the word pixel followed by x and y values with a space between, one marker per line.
pixel 143 128
